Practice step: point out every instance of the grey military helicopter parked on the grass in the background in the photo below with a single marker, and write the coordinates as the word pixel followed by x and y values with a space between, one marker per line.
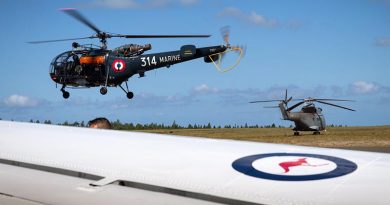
pixel 309 118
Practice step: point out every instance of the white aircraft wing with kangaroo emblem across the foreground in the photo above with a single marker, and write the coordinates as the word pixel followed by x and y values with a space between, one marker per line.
pixel 48 164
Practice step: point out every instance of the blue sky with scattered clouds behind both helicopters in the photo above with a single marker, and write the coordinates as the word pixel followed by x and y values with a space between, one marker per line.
pixel 312 48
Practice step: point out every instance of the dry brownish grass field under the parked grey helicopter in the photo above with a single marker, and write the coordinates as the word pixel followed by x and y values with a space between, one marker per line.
pixel 367 138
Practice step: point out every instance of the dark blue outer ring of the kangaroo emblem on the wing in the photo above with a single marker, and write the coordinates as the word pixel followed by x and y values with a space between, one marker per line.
pixel 244 165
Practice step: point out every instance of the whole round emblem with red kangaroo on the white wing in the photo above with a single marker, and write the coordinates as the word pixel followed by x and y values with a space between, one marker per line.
pixel 293 166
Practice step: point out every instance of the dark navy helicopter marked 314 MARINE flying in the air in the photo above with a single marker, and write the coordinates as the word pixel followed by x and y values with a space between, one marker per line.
pixel 92 66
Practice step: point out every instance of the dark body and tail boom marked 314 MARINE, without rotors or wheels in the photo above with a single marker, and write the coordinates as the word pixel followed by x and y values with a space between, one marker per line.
pixel 100 67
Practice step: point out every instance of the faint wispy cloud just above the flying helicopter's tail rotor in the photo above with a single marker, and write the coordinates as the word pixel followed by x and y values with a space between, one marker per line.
pixel 252 18
